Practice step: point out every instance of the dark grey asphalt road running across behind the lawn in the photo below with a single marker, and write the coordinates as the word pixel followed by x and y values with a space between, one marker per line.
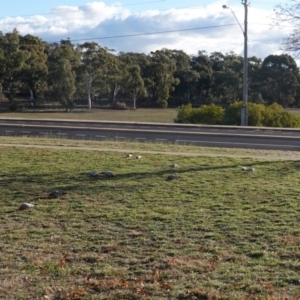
pixel 251 138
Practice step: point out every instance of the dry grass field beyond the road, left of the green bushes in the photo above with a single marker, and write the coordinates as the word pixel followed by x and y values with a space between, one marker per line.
pixel 140 115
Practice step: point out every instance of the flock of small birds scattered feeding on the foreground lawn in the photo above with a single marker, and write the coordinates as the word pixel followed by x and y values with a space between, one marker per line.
pixel 108 174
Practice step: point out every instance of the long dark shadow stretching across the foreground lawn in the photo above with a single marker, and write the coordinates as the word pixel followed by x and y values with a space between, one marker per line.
pixel 69 182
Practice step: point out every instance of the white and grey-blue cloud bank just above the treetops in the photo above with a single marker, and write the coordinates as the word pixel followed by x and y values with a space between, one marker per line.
pixel 96 19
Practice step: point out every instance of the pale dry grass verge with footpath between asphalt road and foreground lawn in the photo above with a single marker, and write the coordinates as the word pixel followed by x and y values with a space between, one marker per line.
pixel 144 147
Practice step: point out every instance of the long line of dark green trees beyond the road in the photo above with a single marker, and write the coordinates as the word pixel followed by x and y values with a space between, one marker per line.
pixel 89 71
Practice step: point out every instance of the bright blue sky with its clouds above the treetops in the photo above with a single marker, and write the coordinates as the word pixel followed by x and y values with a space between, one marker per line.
pixel 79 20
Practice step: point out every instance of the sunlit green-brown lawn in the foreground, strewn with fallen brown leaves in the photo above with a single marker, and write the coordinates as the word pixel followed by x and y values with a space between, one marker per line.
pixel 215 232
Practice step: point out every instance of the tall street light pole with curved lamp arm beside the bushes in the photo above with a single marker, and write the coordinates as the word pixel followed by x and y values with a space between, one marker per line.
pixel 244 112
